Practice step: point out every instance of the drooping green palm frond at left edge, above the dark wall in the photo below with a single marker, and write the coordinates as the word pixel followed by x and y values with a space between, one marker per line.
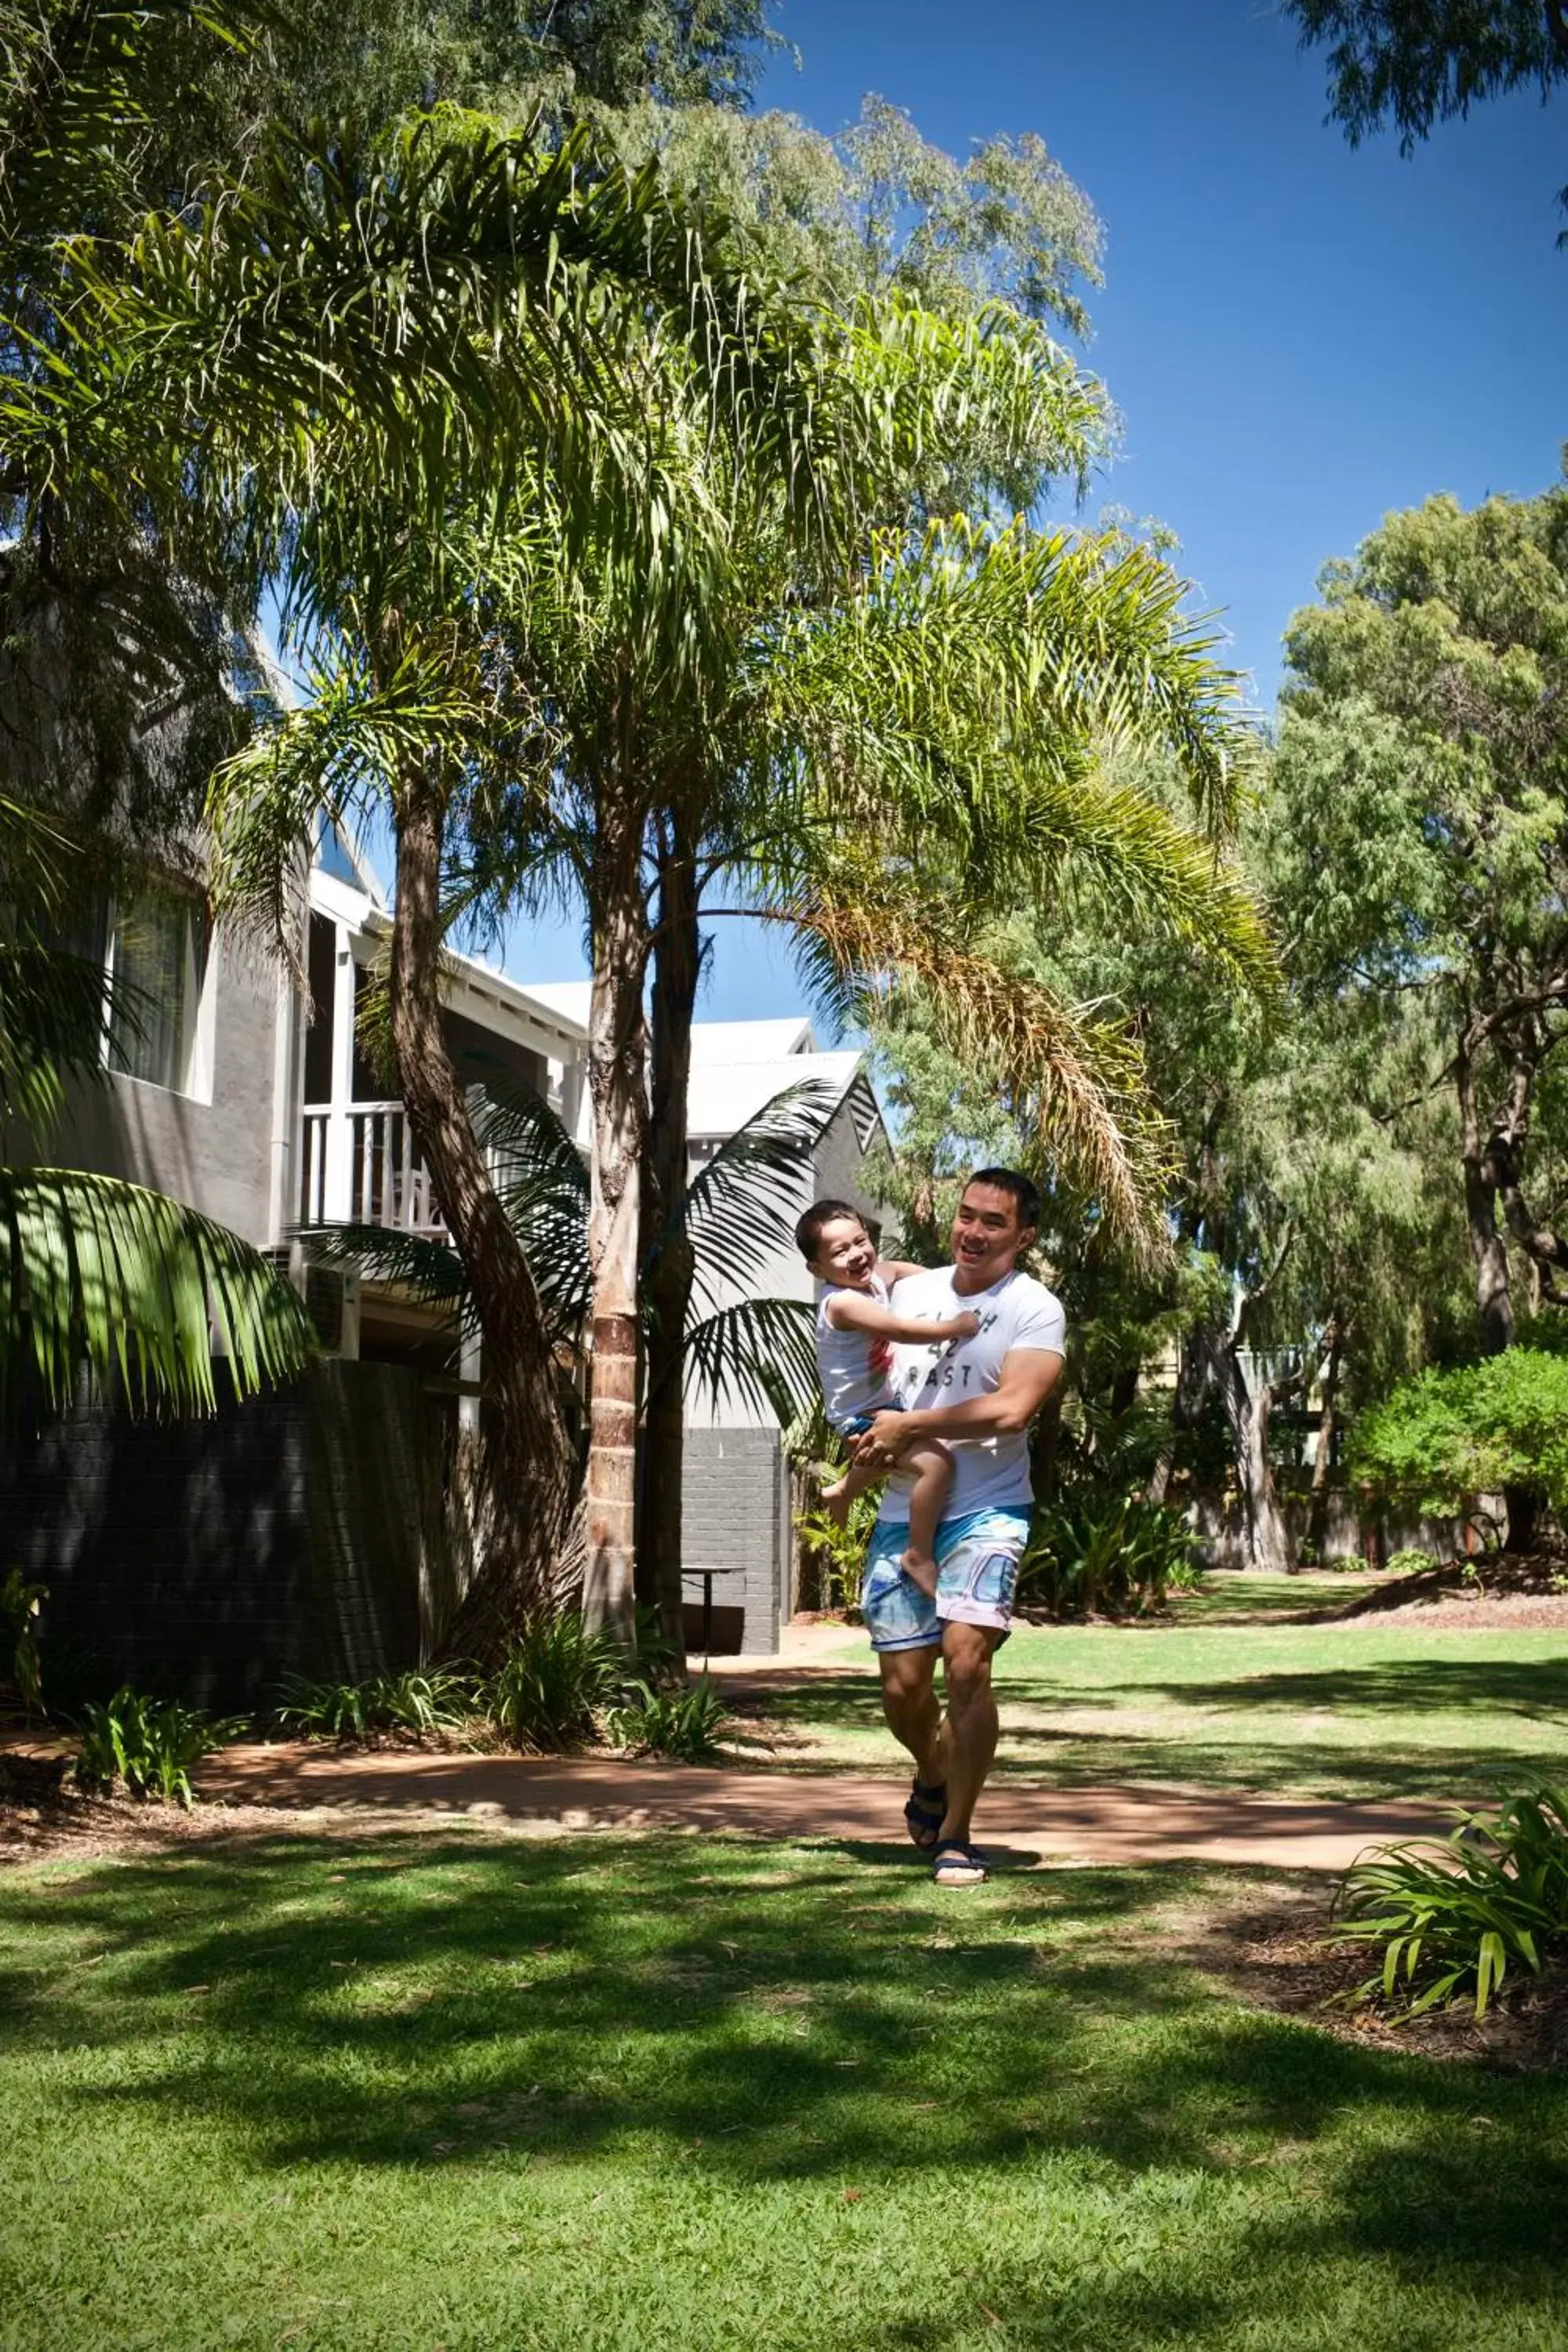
pixel 140 1288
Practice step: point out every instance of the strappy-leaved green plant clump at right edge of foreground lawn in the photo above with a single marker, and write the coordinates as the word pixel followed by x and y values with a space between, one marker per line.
pixel 1454 1916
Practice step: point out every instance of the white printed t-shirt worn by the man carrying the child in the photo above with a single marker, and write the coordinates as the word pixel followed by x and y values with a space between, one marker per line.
pixel 989 1474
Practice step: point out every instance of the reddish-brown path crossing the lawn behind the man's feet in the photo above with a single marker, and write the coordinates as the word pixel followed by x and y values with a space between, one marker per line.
pixel 1026 1826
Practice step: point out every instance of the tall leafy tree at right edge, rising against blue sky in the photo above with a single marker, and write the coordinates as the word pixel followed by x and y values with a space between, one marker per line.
pixel 1423 834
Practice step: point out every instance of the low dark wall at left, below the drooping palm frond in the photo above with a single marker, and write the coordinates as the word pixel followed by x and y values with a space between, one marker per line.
pixel 213 1558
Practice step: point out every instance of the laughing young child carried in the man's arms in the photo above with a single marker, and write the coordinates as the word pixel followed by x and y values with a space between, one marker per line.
pixel 855 1358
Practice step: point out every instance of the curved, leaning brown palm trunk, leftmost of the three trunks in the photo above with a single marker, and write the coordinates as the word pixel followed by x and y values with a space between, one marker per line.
pixel 530 1469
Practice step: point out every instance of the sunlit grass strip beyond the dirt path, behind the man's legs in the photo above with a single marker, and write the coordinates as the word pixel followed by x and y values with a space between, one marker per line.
pixel 1327 1711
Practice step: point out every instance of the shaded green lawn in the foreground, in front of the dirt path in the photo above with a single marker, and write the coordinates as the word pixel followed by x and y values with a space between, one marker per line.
pixel 516 2097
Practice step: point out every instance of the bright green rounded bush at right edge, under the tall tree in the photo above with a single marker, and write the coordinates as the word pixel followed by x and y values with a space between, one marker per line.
pixel 1447 1438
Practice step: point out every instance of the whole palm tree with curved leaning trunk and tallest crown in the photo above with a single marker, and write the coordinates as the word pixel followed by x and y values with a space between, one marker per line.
pixel 523 300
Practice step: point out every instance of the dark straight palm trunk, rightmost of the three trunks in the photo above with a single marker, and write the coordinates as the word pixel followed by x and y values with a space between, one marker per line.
pixel 678 956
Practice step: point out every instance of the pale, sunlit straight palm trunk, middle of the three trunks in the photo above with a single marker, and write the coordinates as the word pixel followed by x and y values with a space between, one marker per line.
pixel 617 1076
